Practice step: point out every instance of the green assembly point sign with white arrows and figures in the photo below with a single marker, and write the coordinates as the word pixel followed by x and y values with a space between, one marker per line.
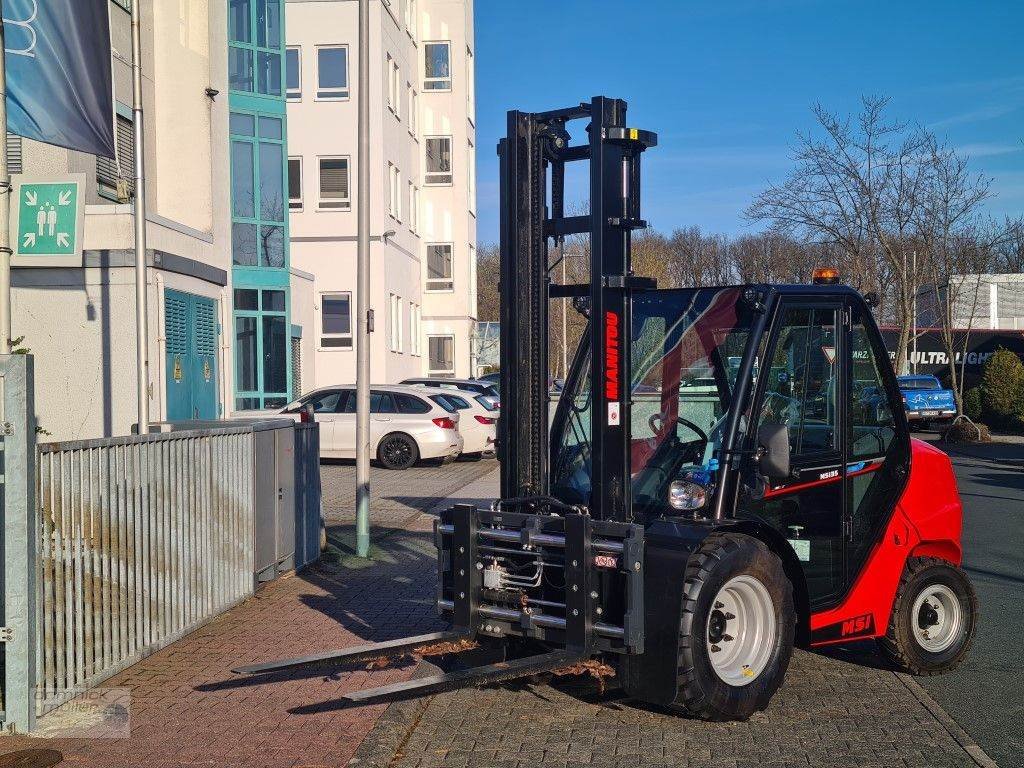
pixel 49 221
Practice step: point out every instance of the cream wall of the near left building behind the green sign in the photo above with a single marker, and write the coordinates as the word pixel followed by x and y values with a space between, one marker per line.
pixel 80 323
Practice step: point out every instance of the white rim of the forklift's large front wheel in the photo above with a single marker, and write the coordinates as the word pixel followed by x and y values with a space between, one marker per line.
pixel 742 631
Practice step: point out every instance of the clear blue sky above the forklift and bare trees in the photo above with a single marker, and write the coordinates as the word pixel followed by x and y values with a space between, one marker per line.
pixel 728 84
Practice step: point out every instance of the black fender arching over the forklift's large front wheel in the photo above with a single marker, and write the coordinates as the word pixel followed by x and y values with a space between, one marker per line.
pixel 652 676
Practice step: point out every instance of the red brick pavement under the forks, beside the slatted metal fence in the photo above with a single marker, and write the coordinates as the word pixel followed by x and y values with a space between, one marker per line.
pixel 188 710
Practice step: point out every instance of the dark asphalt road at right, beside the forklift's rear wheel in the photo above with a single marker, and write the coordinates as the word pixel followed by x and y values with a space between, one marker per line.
pixel 985 696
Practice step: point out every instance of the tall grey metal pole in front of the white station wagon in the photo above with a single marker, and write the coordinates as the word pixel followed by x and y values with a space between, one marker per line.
pixel 363 295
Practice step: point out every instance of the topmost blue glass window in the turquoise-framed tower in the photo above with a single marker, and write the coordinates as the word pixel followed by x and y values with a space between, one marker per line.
pixel 254 60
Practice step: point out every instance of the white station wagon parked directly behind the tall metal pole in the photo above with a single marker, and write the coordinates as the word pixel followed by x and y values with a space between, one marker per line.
pixel 405 425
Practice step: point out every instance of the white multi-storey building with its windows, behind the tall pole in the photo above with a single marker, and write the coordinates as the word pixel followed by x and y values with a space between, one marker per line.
pixel 423 207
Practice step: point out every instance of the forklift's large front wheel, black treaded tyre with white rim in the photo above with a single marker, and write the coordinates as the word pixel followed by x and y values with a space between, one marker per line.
pixel 737 630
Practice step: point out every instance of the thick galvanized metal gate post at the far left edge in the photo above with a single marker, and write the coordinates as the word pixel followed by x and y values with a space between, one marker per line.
pixel 20 543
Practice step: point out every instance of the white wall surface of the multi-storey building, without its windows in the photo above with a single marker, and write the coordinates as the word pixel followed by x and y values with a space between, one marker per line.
pixel 324 241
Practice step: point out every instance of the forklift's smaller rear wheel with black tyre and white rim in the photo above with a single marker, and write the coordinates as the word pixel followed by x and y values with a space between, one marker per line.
pixel 934 618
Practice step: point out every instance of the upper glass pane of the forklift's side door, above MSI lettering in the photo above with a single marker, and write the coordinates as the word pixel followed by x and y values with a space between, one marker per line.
pixel 800 392
